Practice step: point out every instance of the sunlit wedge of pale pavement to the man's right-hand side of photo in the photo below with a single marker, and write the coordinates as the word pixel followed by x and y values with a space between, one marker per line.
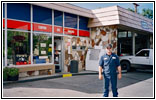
pixel 140 89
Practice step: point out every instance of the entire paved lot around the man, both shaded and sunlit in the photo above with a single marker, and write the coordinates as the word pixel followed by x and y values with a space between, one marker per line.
pixel 132 84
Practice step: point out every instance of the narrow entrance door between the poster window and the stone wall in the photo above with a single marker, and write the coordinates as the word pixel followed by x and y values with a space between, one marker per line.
pixel 58 53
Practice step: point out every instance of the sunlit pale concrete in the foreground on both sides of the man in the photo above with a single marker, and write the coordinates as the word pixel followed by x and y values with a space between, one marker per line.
pixel 141 89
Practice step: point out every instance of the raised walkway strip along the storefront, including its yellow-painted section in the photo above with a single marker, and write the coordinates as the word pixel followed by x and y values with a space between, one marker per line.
pixel 56 75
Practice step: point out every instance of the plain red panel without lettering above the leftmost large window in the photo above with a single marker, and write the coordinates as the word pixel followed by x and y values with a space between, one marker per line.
pixel 13 24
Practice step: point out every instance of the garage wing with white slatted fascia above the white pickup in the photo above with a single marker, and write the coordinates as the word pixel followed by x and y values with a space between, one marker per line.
pixel 127 31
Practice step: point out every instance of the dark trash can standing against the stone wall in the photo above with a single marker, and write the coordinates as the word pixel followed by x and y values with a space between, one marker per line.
pixel 74 66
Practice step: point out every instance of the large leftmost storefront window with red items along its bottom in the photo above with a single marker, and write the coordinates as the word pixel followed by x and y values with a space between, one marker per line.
pixel 18 49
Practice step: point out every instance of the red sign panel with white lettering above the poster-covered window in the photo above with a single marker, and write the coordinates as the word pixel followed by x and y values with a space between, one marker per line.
pixel 42 27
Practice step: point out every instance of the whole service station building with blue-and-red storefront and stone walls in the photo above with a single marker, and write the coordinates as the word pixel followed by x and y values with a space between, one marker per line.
pixel 41 38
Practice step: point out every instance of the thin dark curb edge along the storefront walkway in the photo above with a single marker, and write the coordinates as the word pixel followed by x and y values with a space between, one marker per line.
pixel 48 77
